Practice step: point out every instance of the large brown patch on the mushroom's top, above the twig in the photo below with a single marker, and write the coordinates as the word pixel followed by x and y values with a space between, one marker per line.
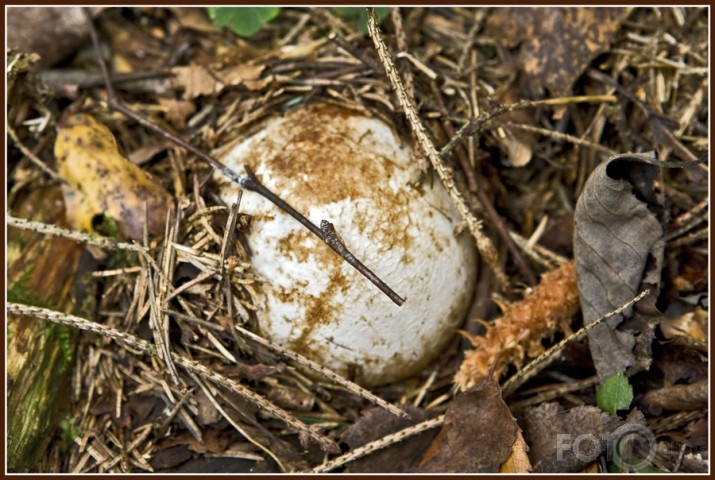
pixel 307 161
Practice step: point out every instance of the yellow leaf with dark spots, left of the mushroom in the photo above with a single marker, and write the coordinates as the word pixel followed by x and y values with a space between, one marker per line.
pixel 101 181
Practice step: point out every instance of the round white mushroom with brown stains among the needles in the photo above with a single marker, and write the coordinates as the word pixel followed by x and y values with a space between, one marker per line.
pixel 352 170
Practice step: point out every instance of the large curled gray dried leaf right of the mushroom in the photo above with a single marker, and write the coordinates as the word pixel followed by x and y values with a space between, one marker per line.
pixel 618 248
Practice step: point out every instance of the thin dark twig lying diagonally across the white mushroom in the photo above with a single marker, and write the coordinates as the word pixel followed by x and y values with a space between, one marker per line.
pixel 249 182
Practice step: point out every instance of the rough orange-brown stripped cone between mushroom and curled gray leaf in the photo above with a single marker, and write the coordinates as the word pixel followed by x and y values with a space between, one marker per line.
pixel 518 333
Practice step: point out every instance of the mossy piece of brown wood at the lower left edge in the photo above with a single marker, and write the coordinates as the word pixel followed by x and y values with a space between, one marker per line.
pixel 41 270
